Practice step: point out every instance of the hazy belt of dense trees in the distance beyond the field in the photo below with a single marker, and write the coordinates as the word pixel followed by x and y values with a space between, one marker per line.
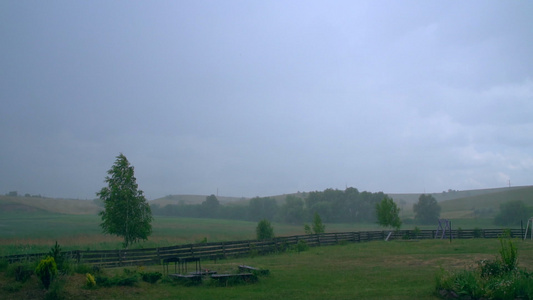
pixel 333 206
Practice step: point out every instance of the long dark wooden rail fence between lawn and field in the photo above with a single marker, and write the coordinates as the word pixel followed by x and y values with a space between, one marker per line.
pixel 219 250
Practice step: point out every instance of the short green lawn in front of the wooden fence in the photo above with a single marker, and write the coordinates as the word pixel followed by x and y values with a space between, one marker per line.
pixel 374 270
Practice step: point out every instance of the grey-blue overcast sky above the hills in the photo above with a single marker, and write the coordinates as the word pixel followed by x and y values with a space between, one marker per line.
pixel 260 98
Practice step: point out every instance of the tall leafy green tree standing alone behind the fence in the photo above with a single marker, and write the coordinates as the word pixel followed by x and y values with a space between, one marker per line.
pixel 127 213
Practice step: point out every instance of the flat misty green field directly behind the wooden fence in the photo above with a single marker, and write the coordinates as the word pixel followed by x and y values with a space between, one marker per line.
pixel 36 232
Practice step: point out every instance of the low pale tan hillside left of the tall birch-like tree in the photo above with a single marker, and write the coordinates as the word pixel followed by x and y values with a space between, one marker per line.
pixel 37 204
